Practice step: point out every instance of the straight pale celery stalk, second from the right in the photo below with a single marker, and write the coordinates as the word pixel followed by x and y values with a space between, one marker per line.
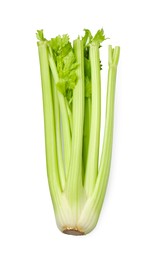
pixel 93 150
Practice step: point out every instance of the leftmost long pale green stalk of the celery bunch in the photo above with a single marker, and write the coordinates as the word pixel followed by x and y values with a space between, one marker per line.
pixel 50 140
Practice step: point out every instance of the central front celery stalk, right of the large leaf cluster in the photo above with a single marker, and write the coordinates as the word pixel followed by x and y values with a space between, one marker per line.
pixel 74 181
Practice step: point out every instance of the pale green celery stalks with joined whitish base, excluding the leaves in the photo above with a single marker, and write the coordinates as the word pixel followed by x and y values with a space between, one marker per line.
pixel 77 202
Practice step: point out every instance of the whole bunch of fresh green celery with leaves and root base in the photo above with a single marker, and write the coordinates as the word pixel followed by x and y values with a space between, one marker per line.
pixel 71 88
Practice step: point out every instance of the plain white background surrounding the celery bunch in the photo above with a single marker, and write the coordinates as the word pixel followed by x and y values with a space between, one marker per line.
pixel 127 228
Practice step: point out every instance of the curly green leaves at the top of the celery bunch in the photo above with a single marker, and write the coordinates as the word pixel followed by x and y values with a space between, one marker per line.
pixel 61 49
